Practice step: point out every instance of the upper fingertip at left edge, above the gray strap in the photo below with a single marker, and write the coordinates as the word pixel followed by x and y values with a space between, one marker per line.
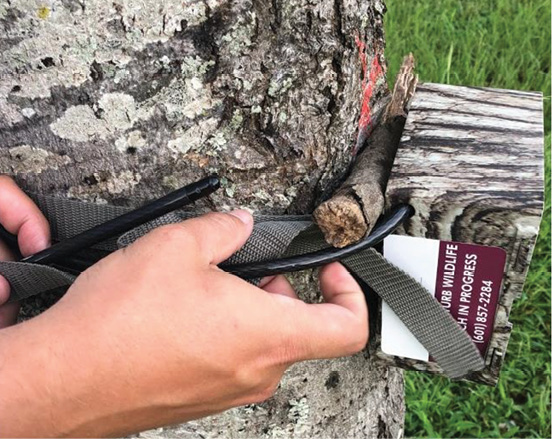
pixel 20 216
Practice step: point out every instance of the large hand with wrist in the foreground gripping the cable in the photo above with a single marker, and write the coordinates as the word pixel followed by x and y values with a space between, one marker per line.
pixel 157 334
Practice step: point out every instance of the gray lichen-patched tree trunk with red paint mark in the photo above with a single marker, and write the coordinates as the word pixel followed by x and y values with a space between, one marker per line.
pixel 119 102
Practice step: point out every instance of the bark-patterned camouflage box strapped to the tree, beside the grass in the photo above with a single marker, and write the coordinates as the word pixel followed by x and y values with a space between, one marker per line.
pixel 471 164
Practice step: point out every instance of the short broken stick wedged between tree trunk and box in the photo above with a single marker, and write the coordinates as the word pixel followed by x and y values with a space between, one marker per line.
pixel 355 207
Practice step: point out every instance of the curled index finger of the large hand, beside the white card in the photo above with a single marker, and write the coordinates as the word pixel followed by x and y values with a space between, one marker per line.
pixel 336 328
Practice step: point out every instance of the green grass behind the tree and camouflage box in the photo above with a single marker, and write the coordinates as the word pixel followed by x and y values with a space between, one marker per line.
pixel 503 44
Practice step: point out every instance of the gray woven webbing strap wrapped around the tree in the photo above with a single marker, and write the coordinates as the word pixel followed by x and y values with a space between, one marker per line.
pixel 272 237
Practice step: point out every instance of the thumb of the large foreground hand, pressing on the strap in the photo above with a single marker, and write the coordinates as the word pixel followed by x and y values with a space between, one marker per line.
pixel 220 235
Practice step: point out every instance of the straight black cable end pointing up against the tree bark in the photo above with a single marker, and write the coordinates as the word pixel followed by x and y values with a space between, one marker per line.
pixel 127 221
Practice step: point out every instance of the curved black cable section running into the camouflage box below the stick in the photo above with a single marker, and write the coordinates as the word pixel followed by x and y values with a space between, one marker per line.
pixel 384 227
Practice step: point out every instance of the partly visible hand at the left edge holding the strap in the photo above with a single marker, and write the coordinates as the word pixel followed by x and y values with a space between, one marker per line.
pixel 20 216
